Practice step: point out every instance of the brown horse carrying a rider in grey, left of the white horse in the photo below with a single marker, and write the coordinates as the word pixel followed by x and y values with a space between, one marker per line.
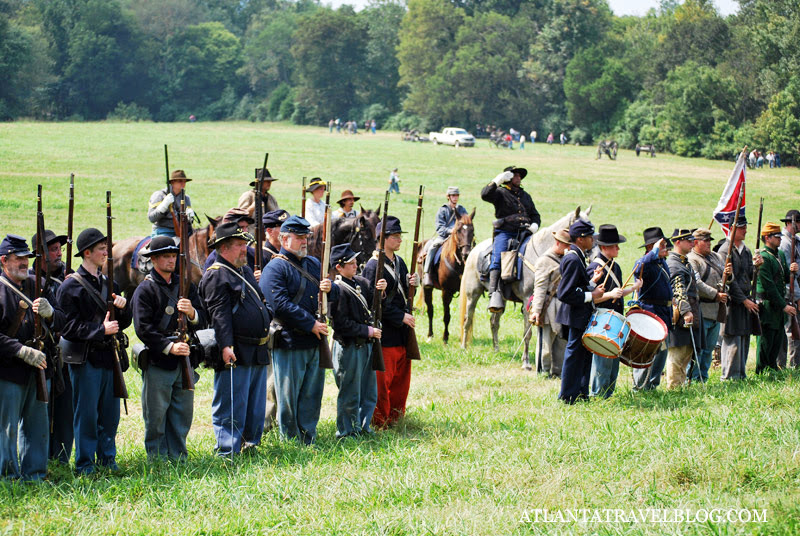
pixel 455 251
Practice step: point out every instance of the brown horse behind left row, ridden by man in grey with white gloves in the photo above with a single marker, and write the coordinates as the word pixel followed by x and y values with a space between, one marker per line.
pixel 129 277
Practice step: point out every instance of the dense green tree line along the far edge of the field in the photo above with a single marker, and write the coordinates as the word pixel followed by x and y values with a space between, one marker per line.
pixel 682 77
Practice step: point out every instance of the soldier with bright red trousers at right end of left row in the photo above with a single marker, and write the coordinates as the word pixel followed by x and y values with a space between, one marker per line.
pixel 394 382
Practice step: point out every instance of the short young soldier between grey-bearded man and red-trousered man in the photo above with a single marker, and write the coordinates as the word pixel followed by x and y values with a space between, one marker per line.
pixel 352 367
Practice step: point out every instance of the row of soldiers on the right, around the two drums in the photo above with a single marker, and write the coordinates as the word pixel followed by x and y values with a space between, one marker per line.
pixel 678 280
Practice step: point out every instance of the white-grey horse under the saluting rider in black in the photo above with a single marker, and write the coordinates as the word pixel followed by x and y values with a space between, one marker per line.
pixel 472 287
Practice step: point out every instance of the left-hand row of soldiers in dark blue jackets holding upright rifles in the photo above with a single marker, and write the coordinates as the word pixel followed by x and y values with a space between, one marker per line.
pixel 260 321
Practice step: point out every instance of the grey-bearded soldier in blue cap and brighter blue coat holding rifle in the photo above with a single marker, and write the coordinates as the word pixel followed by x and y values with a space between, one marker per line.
pixel 292 285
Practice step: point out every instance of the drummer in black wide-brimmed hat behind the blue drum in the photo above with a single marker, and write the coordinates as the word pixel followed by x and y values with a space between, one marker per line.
pixel 603 378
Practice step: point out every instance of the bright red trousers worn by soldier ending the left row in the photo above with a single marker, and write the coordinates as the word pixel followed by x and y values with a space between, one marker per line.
pixel 392 387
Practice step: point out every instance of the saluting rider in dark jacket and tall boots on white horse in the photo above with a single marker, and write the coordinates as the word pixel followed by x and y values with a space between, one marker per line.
pixel 516 216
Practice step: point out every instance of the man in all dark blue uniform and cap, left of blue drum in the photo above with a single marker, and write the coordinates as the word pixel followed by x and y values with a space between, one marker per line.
pixel 577 293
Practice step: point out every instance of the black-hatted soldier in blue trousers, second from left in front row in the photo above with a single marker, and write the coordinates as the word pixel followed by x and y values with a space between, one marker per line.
pixel 82 297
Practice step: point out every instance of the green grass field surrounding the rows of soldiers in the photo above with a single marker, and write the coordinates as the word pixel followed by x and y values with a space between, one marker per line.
pixel 484 444
